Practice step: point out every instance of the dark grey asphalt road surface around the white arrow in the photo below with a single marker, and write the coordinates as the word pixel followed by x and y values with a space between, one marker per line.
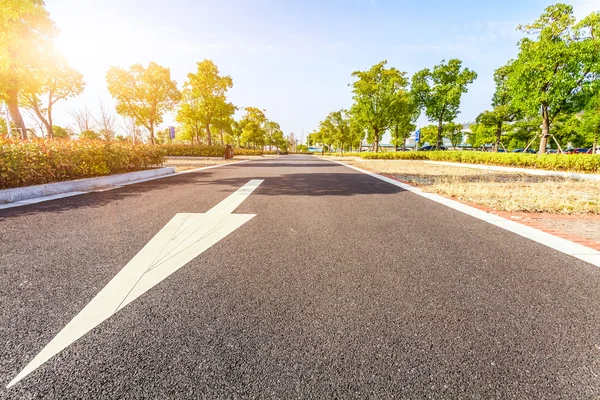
pixel 341 286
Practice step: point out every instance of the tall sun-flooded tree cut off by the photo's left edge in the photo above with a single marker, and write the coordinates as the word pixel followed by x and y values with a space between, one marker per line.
pixel 25 33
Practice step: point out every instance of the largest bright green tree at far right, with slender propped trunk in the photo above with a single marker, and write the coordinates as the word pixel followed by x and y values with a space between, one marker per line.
pixel 556 70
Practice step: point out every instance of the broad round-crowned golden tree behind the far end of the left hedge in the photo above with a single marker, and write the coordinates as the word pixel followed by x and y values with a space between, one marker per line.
pixel 144 94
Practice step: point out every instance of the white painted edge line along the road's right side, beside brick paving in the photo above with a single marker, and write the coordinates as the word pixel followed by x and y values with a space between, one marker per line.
pixel 576 250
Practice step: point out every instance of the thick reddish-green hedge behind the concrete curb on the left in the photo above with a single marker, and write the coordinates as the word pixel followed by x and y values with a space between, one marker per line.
pixel 35 162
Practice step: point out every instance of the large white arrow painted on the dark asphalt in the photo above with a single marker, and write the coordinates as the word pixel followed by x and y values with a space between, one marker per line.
pixel 184 238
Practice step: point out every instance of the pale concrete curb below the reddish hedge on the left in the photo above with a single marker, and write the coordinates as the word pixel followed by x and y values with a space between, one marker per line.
pixel 78 185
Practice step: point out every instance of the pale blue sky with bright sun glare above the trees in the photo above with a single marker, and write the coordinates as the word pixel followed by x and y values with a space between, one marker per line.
pixel 292 58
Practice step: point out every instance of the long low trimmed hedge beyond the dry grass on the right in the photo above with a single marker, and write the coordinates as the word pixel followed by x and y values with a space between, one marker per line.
pixel 557 162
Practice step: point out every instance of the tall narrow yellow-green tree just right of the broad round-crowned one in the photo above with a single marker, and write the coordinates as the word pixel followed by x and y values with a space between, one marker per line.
pixel 208 89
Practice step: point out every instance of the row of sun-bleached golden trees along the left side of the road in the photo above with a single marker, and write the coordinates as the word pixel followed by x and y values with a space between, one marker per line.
pixel 34 76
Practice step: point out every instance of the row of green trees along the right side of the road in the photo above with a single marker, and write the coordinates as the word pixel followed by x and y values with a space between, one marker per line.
pixel 550 91
